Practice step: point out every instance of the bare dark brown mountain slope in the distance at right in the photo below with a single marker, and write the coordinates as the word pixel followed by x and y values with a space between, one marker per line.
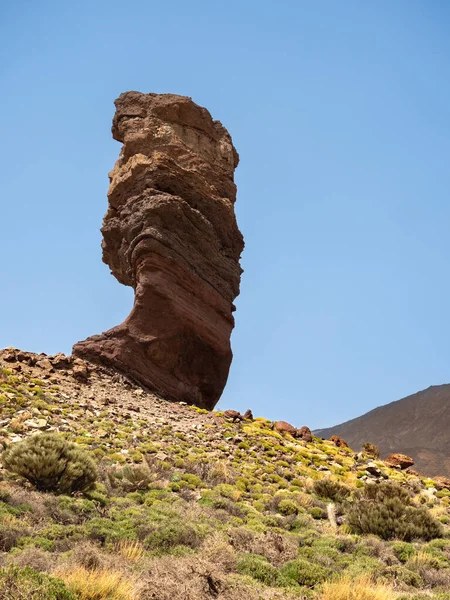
pixel 418 425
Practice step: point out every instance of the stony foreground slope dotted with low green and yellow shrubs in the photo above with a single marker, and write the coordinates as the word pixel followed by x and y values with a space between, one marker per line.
pixel 189 505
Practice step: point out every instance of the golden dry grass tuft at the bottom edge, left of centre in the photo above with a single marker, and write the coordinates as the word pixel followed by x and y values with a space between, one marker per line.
pixel 98 584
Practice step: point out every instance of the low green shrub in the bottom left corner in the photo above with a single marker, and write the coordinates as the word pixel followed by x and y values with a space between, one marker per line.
pixel 17 584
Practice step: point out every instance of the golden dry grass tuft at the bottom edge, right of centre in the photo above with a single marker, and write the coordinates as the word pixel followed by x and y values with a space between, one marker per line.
pixel 355 589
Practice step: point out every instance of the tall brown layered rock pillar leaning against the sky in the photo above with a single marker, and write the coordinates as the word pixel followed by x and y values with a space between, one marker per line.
pixel 170 232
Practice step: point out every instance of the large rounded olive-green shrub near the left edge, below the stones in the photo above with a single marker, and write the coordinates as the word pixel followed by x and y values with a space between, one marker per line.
pixel 51 464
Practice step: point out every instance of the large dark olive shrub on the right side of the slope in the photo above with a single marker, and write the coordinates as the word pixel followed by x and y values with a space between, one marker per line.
pixel 386 510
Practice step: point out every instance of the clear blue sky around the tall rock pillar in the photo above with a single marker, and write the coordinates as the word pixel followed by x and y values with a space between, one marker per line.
pixel 340 113
